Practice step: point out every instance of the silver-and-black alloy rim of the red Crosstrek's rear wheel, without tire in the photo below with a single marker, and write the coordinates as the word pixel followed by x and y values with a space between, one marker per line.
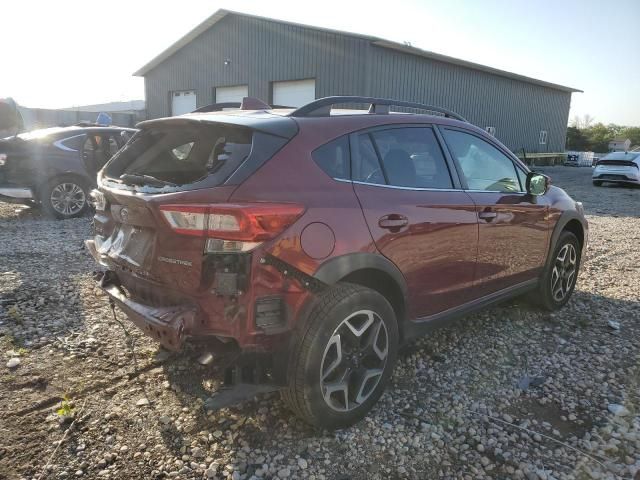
pixel 354 360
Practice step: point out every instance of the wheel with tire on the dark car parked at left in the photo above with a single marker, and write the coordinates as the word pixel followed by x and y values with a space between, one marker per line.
pixel 64 197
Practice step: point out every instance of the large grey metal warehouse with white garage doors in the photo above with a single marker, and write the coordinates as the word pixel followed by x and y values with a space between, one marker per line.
pixel 232 55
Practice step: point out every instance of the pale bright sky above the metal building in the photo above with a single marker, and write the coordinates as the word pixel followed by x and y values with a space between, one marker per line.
pixel 63 53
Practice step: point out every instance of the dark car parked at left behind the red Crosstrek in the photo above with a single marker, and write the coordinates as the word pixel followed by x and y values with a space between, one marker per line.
pixel 57 167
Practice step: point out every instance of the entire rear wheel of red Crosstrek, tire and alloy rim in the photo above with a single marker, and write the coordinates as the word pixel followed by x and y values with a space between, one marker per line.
pixel 343 358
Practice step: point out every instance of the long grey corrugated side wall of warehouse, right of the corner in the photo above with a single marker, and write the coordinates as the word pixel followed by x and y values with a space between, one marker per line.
pixel 517 110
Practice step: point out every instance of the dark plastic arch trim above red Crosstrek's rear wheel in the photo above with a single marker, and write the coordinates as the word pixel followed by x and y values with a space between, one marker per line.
pixel 372 271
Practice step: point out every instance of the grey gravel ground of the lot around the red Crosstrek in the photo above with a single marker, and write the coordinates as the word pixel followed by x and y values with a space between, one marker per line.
pixel 510 392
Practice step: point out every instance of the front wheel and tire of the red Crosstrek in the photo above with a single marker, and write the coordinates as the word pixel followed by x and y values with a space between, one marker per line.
pixel 559 277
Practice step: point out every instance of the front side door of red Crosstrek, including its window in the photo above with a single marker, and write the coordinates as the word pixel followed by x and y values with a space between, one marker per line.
pixel 512 225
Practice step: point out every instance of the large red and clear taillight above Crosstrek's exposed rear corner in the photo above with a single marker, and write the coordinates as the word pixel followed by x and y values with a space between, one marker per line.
pixel 249 223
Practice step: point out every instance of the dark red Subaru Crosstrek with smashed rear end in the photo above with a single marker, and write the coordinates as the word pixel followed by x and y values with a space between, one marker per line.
pixel 303 247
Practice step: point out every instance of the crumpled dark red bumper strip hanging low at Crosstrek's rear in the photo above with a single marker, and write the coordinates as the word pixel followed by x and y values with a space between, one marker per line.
pixel 166 325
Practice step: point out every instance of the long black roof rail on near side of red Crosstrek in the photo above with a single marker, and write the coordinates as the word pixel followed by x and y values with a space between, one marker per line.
pixel 322 106
